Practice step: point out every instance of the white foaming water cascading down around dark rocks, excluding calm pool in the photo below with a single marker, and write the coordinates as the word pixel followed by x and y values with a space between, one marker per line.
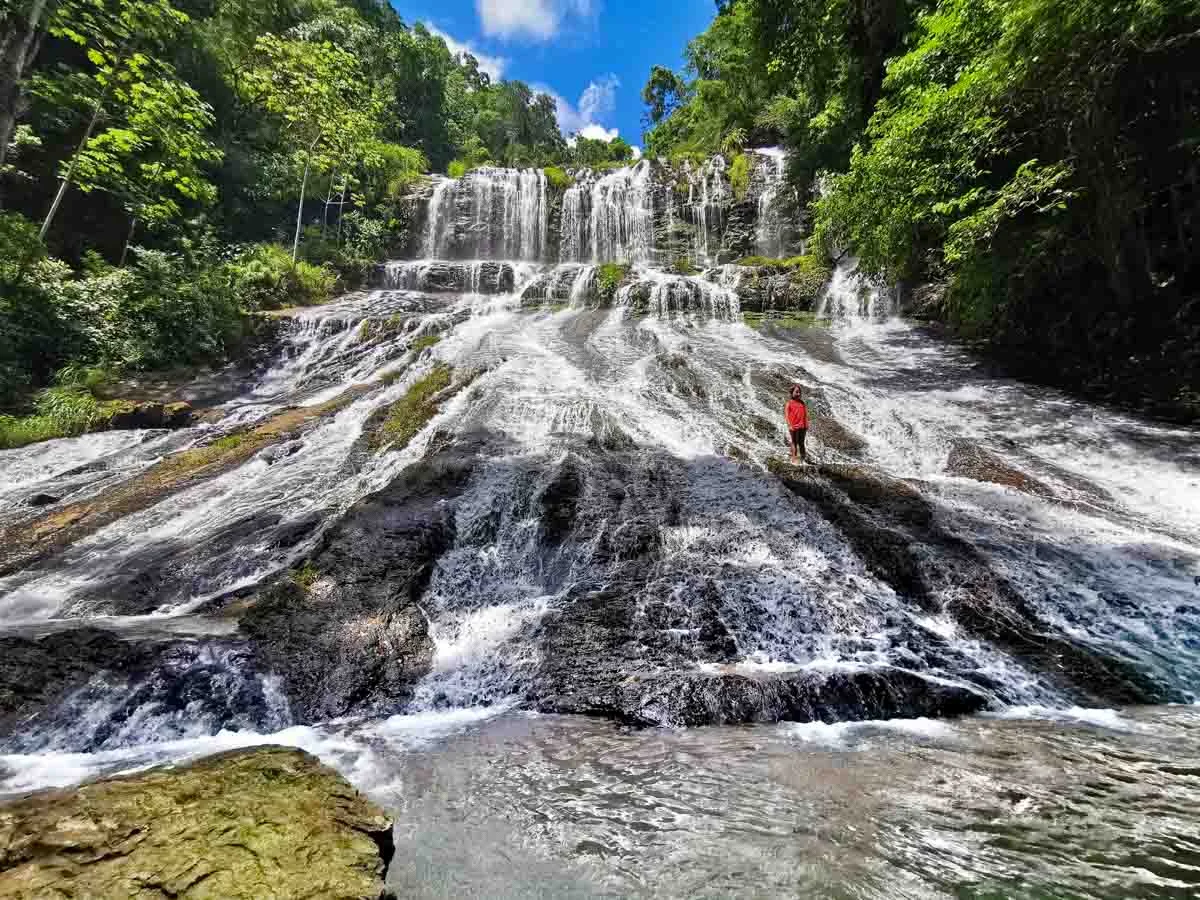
pixel 1109 557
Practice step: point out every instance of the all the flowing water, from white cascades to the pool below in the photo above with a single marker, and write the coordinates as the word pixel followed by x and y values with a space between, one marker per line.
pixel 1037 799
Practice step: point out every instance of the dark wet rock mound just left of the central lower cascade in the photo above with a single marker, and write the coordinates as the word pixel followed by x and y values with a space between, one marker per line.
pixel 349 635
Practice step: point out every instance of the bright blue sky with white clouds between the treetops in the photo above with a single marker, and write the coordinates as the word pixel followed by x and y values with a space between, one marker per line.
pixel 593 56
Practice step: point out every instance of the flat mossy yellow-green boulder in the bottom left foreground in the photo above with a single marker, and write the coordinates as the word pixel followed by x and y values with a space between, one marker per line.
pixel 269 823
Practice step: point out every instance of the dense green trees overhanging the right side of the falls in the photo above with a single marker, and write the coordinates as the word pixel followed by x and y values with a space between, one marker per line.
pixel 1034 161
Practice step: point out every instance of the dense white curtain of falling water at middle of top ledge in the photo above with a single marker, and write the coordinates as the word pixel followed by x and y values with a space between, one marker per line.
pixel 621 223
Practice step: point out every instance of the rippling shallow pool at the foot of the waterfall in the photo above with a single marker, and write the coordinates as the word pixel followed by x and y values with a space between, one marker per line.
pixel 1041 803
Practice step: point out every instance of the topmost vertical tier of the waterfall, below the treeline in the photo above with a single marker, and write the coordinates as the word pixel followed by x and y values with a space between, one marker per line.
pixel 649 214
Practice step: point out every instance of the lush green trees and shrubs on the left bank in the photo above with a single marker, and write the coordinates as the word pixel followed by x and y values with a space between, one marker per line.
pixel 171 167
